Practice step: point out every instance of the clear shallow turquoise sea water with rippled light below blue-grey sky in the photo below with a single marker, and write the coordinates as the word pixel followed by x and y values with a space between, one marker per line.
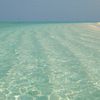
pixel 51 61
